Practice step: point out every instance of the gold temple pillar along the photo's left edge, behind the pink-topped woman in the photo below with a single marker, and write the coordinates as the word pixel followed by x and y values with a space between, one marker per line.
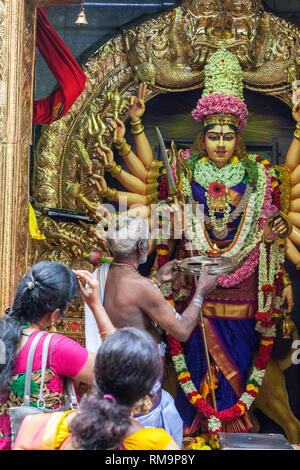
pixel 17 52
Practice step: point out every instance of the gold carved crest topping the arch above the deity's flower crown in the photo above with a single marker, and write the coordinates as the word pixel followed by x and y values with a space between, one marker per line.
pixel 179 42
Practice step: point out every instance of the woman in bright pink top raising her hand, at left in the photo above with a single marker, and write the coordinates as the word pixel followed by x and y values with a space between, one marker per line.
pixel 42 297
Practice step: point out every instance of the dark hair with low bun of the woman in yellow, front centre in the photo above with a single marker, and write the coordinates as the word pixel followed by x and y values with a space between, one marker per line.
pixel 127 365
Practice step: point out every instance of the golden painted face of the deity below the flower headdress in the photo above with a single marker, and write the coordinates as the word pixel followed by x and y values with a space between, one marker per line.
pixel 220 142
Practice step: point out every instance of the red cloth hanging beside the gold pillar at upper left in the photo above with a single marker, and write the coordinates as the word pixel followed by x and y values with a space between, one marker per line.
pixel 65 69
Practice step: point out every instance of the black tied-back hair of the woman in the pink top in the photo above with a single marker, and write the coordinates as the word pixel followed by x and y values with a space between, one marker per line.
pixel 45 287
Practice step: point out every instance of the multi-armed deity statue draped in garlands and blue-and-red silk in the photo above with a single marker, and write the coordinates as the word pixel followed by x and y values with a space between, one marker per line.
pixel 244 199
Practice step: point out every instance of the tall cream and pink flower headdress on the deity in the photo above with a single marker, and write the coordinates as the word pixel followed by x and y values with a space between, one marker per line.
pixel 222 100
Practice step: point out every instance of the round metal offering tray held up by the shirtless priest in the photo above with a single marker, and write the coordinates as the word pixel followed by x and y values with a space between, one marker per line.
pixel 217 266
